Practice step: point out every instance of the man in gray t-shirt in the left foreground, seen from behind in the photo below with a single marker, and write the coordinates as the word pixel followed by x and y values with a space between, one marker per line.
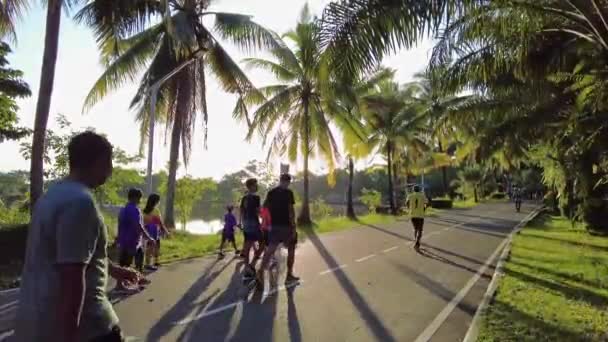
pixel 63 290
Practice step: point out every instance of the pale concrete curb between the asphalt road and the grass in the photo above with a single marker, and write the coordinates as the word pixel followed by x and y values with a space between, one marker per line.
pixel 473 331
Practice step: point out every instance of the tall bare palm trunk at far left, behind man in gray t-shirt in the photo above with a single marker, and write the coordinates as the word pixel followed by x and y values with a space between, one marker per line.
pixel 45 92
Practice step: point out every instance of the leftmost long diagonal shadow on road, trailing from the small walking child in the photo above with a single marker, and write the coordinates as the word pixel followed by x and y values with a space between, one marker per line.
pixel 186 304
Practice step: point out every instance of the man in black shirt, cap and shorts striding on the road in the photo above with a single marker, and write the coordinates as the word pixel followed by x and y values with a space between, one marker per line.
pixel 280 202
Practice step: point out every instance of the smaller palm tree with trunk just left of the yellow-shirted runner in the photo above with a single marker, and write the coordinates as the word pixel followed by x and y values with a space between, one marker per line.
pixel 394 123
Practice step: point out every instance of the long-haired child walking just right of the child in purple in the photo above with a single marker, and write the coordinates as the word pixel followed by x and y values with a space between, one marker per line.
pixel 156 228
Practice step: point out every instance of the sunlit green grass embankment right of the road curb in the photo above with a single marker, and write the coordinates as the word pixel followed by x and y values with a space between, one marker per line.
pixel 555 286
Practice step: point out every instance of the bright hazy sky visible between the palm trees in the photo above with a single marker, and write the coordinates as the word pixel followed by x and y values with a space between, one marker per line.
pixel 78 67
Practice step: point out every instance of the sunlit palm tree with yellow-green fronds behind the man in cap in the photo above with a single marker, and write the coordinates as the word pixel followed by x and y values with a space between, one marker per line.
pixel 295 116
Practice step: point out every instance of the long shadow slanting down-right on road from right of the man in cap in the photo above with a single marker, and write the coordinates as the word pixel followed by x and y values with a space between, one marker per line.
pixel 369 316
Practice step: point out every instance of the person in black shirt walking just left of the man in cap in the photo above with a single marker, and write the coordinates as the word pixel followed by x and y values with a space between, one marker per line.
pixel 250 213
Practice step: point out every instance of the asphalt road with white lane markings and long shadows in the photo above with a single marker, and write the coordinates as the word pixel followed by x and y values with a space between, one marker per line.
pixel 365 284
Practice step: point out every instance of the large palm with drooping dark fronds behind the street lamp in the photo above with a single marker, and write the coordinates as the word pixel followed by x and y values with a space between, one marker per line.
pixel 158 48
